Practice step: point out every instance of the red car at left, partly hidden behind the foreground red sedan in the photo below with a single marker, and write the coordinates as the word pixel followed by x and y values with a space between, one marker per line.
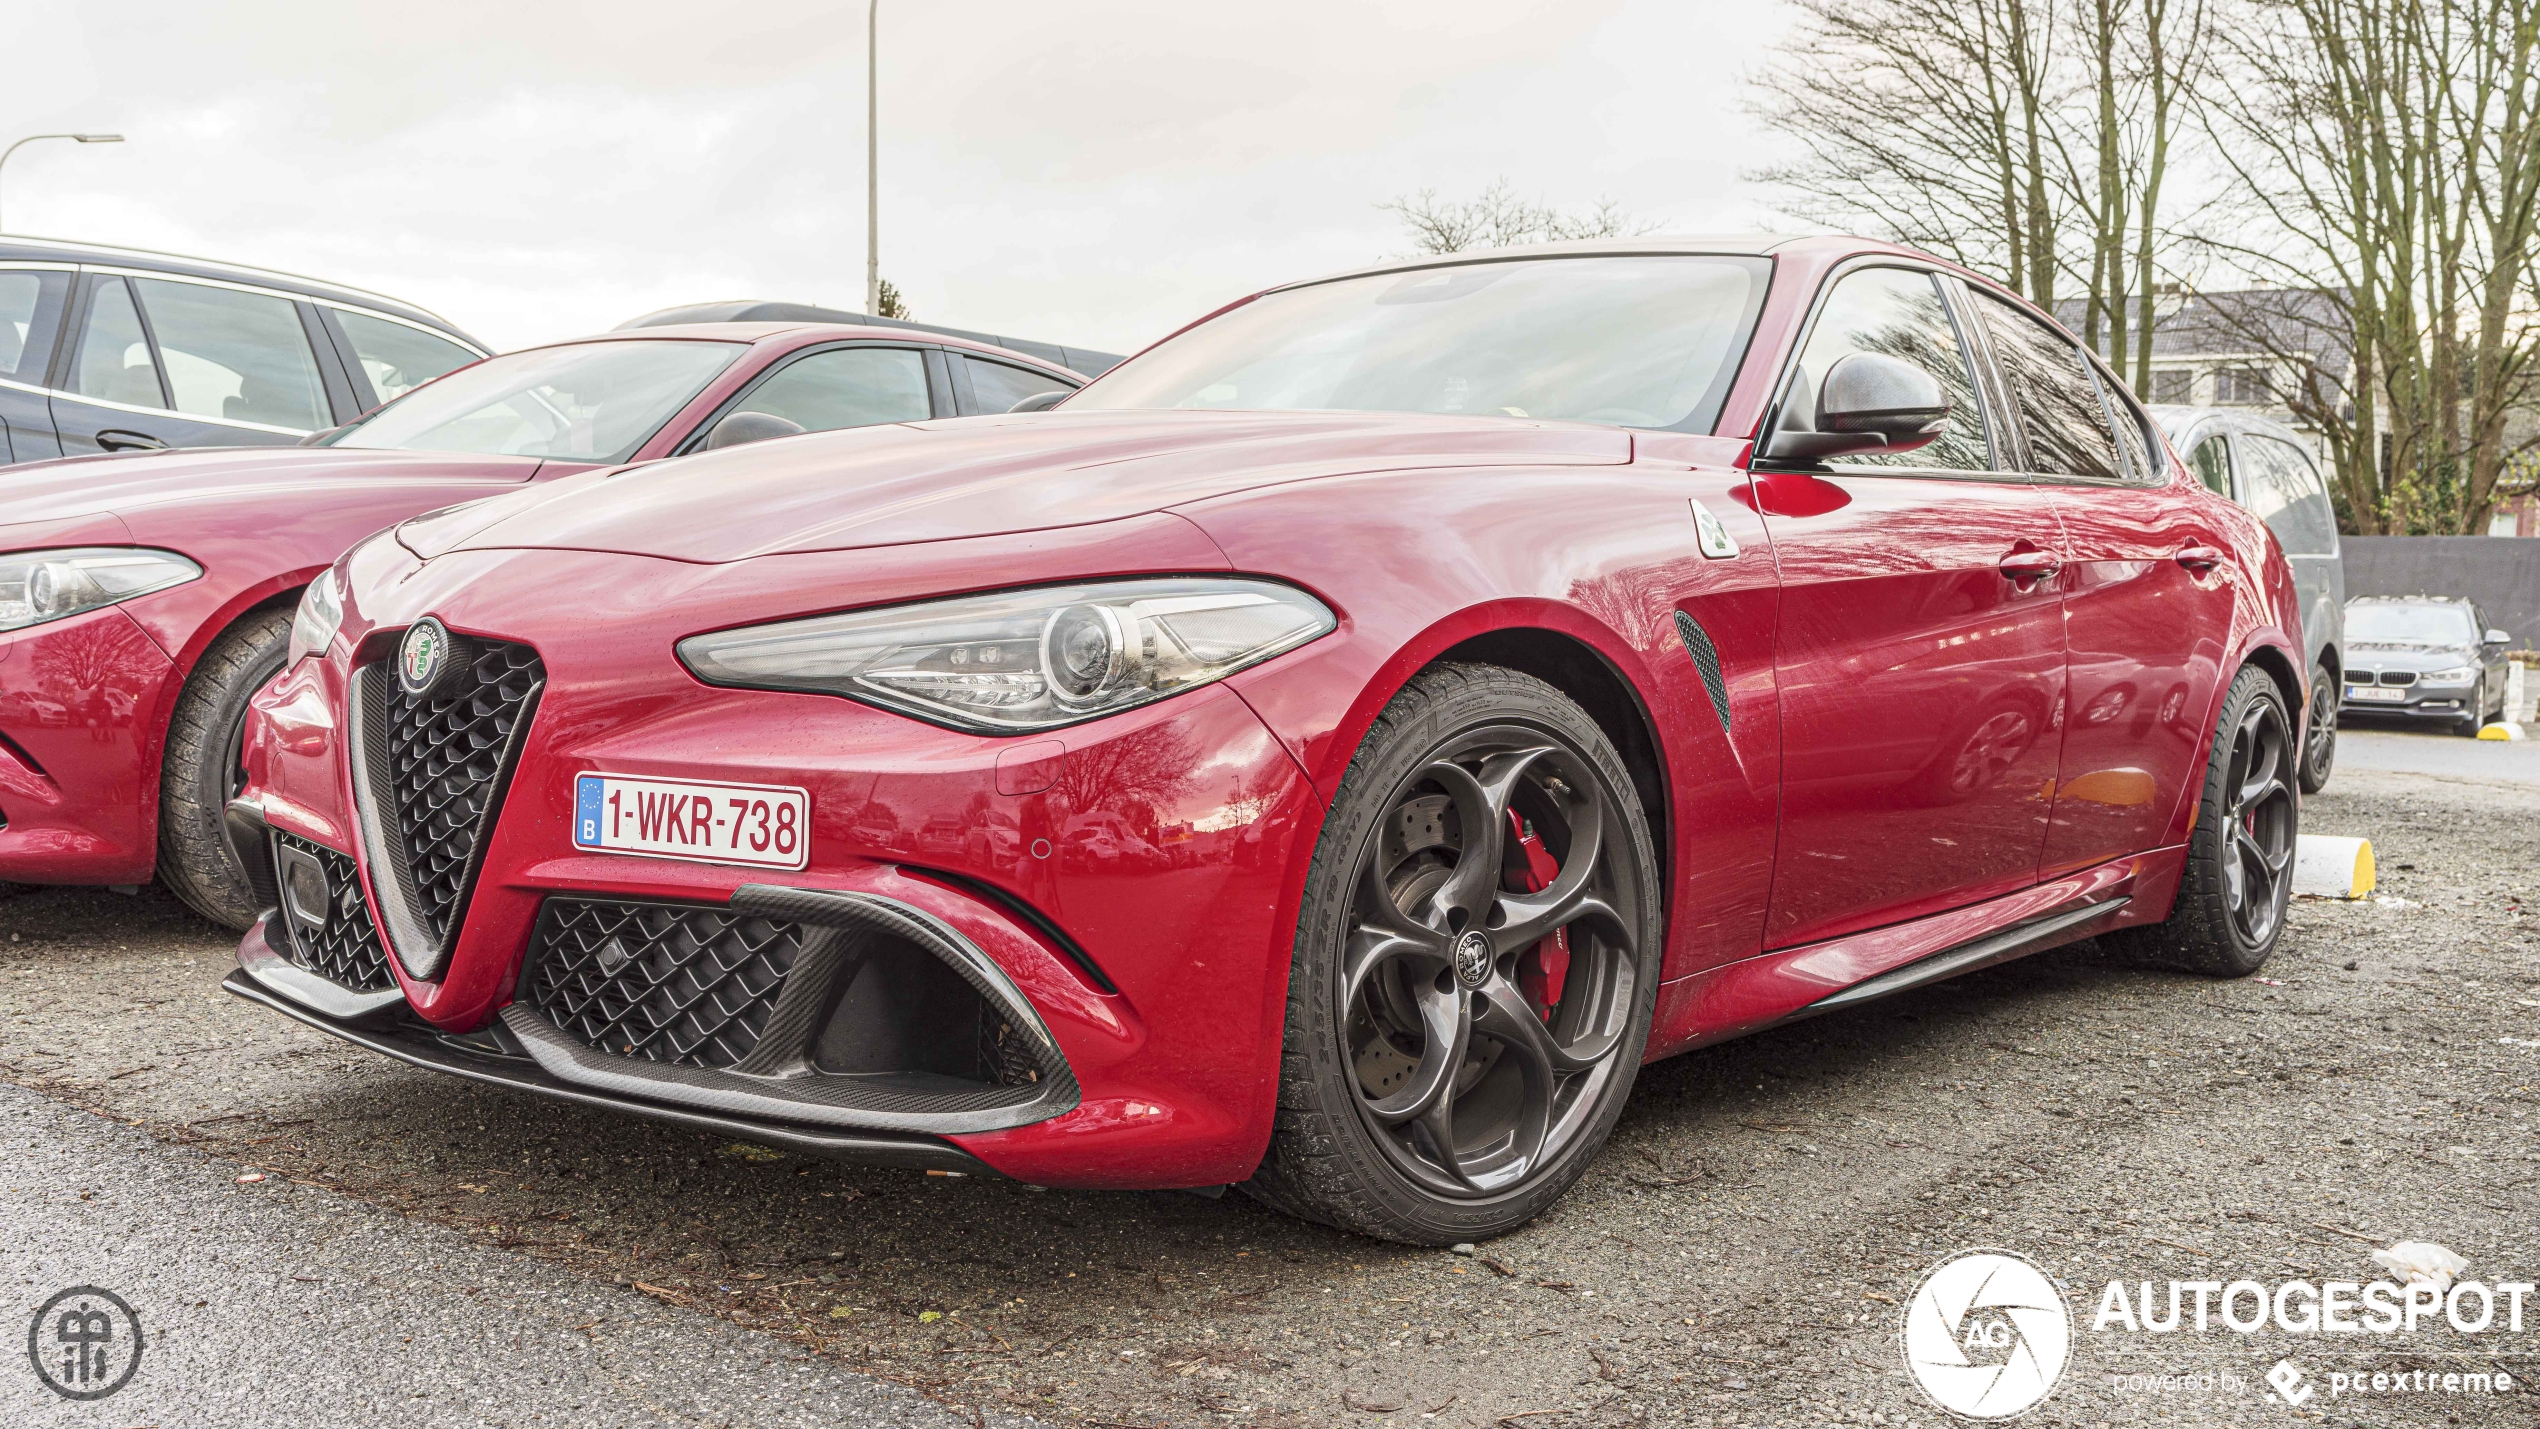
pixel 146 598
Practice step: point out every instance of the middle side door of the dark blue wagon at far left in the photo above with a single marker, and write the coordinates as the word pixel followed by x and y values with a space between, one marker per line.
pixel 166 362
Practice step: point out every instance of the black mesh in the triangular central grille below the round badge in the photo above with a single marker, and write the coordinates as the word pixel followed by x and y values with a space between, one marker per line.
pixel 446 758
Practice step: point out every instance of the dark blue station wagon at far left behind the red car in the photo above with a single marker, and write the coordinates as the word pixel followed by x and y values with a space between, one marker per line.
pixel 128 352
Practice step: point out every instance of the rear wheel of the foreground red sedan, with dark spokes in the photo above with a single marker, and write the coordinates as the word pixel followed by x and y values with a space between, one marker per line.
pixel 2242 854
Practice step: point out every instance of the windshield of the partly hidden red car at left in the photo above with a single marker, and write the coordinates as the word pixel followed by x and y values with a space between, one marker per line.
pixel 585 402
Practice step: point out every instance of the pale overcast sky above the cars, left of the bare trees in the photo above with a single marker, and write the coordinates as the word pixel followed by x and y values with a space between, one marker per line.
pixel 1083 174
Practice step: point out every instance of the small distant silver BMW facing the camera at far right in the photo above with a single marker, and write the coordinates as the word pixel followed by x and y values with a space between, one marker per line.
pixel 2427 659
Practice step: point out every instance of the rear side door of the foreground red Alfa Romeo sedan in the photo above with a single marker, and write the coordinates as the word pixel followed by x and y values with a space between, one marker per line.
pixel 2145 595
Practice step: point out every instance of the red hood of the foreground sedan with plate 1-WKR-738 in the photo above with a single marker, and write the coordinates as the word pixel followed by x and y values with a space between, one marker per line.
pixel 982 476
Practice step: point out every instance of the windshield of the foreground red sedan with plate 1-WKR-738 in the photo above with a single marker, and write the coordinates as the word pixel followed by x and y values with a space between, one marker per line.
pixel 1642 341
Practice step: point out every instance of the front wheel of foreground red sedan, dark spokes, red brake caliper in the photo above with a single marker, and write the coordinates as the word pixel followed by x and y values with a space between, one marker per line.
pixel 1383 1126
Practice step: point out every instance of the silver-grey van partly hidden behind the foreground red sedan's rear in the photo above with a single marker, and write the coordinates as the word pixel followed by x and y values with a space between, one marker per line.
pixel 2267 468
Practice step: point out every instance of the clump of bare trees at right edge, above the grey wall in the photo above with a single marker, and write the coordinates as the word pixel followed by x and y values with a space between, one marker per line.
pixel 2389 161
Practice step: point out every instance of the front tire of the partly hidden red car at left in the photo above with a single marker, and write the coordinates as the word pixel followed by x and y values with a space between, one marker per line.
pixel 199 773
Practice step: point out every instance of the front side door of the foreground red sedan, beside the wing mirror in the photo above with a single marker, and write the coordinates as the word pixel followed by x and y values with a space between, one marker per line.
pixel 1922 649
